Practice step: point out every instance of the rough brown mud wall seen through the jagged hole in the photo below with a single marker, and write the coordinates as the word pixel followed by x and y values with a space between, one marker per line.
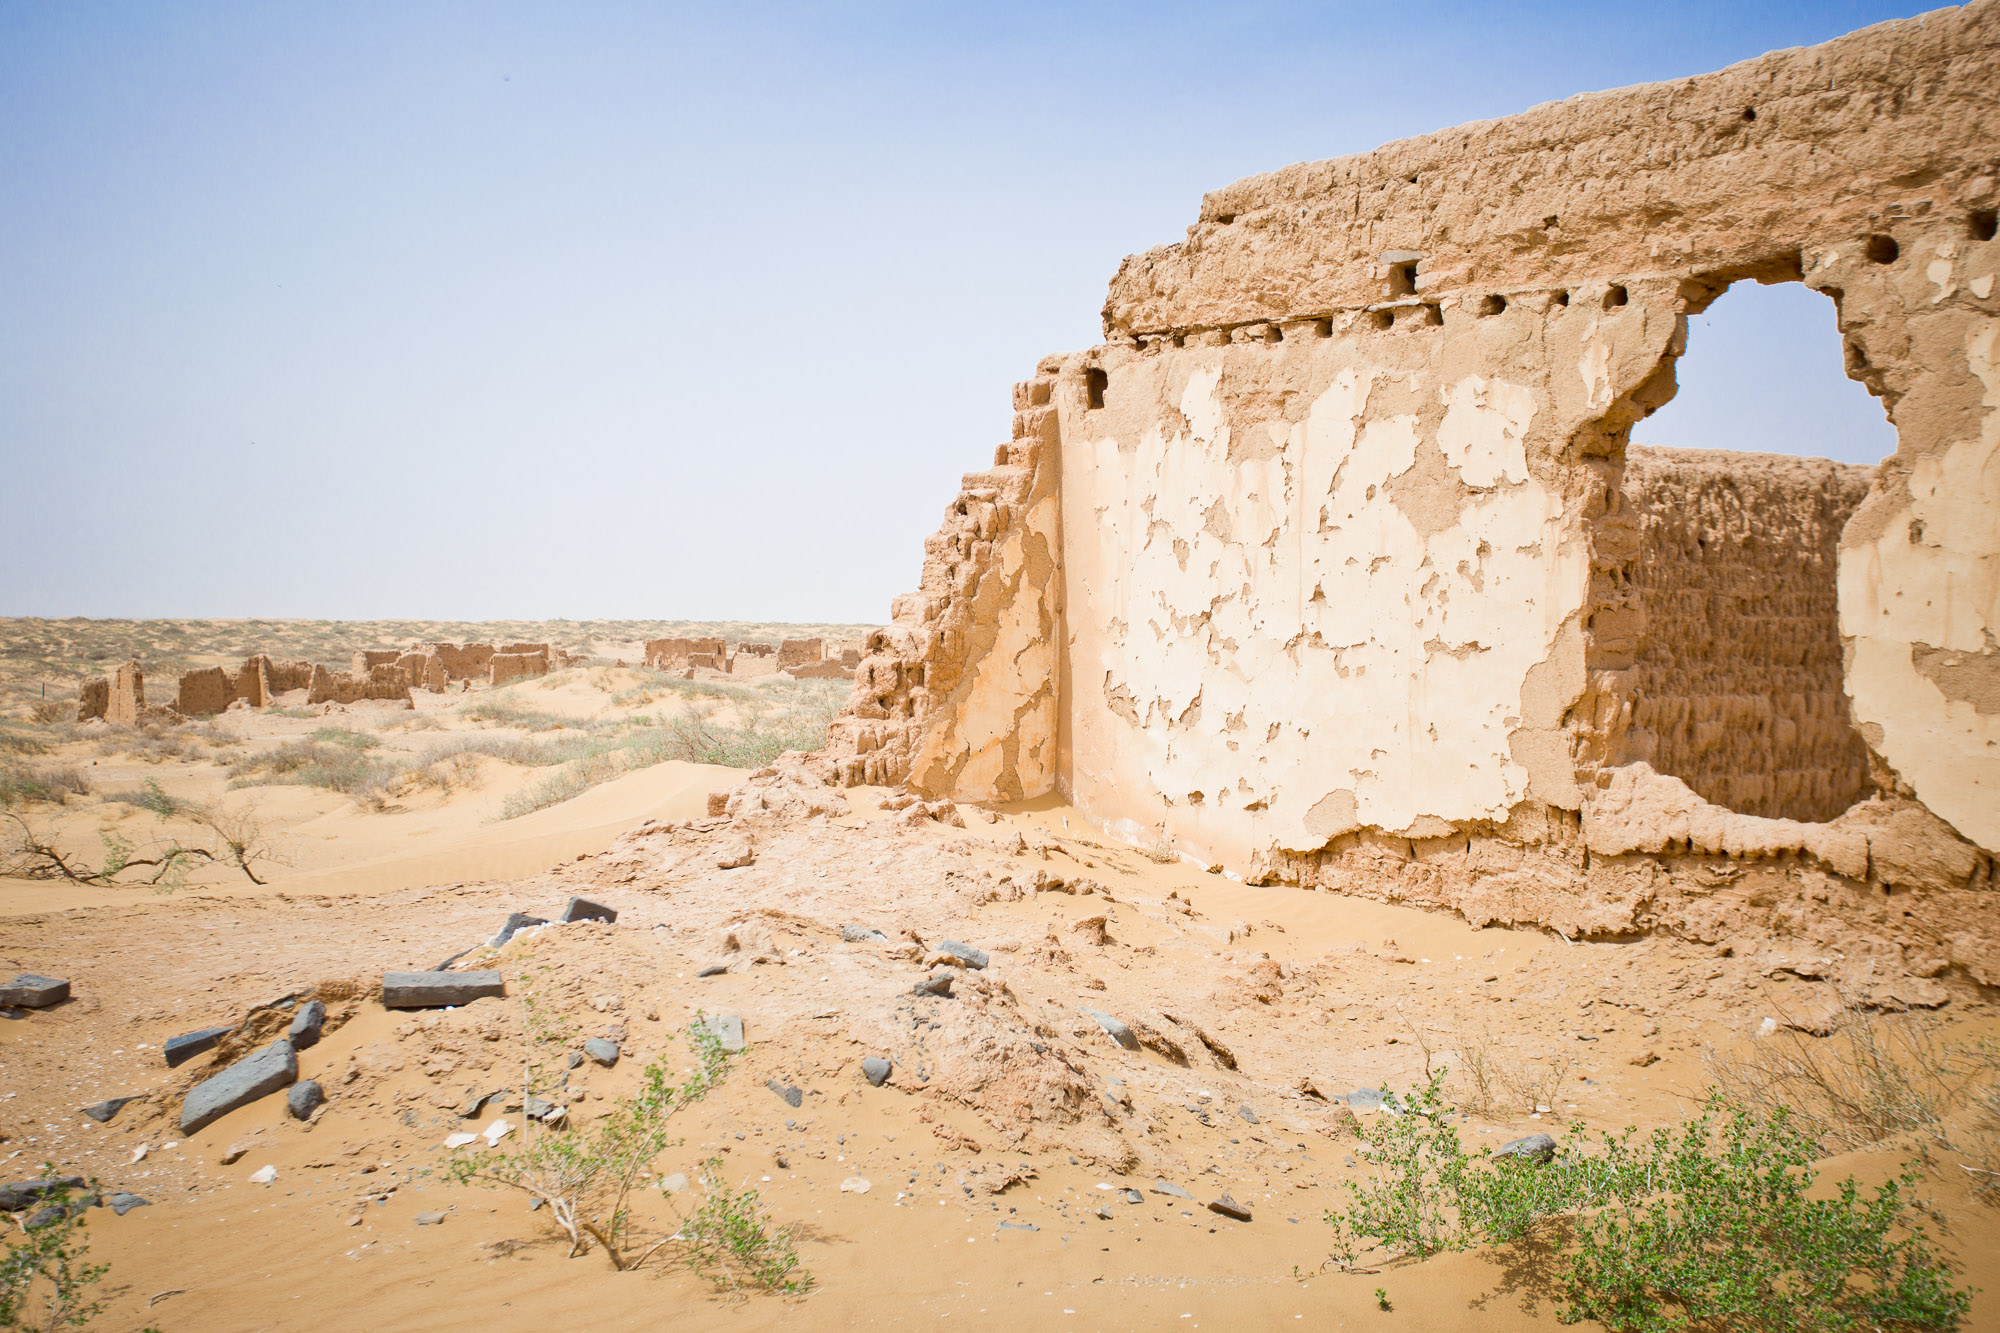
pixel 1737 672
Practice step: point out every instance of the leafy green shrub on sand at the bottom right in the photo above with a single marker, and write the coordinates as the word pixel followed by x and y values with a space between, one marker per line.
pixel 1709 1224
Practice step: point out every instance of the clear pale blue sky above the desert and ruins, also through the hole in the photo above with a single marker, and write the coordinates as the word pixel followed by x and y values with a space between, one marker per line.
pixel 657 311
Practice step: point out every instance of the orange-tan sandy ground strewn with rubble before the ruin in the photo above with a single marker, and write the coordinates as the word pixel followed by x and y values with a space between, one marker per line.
pixel 995 1154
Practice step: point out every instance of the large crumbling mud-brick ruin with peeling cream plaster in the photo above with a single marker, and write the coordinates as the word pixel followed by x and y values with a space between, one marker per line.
pixel 1333 563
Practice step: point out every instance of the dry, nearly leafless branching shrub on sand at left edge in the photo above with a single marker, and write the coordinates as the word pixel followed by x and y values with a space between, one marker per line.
pixel 191 838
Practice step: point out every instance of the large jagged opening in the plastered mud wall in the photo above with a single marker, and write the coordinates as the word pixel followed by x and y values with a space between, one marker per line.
pixel 1733 659
